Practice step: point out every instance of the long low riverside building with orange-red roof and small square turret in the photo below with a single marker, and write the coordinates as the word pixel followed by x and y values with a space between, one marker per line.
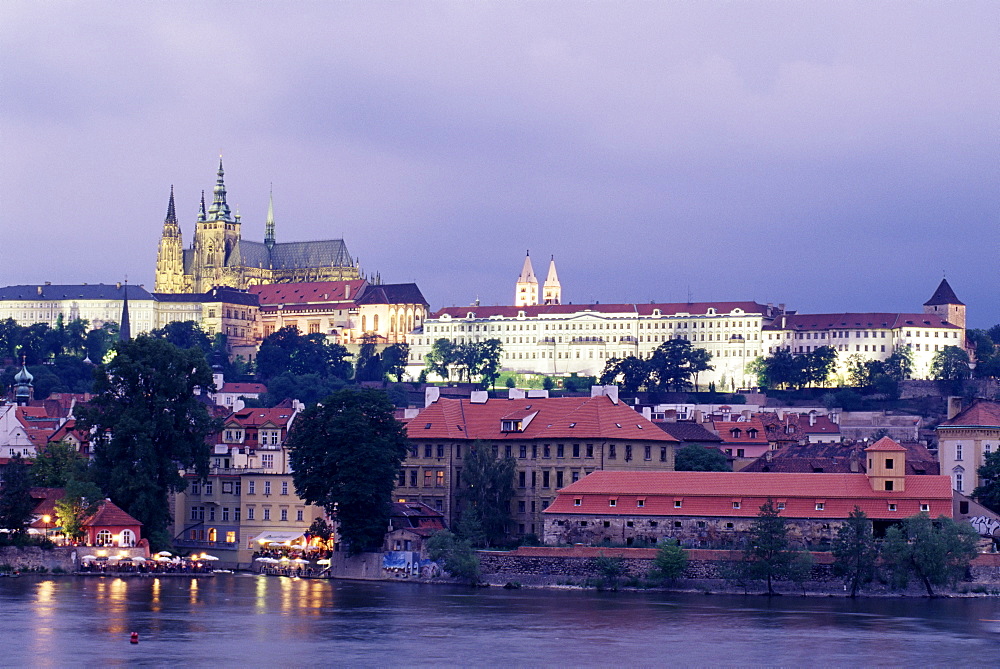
pixel 716 508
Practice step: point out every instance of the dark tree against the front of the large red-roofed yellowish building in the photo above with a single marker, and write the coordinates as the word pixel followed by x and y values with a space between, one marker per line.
pixel 488 487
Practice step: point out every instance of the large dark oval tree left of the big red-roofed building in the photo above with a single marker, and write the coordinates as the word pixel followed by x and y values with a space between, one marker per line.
pixel 345 454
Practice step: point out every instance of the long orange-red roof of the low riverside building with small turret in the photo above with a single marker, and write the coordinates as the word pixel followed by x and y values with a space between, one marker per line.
pixel 715 493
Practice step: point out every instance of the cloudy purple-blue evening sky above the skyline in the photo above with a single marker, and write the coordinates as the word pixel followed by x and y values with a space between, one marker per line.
pixel 831 156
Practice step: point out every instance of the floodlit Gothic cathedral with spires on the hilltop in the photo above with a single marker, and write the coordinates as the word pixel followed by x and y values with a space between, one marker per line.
pixel 218 256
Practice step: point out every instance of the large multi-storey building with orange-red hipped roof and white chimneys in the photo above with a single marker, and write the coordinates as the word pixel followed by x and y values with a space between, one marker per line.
pixel 555 442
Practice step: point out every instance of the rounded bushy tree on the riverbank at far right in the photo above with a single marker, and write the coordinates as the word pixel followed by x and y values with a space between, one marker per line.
pixel 936 552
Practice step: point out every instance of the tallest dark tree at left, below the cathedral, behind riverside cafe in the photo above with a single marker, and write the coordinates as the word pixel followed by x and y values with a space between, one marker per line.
pixel 148 424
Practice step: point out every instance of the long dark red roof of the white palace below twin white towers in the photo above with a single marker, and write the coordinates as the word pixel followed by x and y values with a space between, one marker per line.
pixel 632 309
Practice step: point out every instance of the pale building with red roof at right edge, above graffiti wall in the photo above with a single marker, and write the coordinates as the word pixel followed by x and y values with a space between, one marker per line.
pixel 964 441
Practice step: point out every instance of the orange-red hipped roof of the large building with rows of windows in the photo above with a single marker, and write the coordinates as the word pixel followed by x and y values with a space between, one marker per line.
pixel 550 418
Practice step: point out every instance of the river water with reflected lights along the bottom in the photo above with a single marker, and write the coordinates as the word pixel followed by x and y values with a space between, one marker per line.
pixel 259 621
